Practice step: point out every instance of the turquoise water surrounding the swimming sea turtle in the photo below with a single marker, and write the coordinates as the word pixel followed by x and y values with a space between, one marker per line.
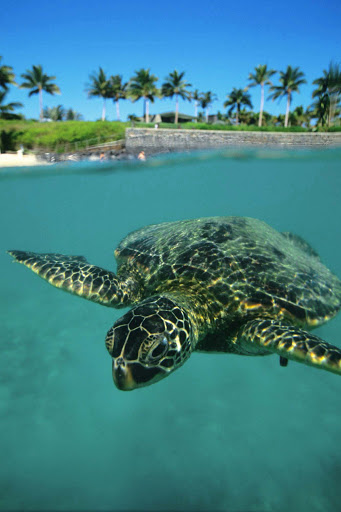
pixel 221 433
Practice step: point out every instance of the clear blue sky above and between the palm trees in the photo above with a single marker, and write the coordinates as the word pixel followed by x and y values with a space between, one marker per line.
pixel 217 43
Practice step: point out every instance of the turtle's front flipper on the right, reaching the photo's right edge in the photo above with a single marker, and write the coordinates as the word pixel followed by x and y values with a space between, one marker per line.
pixel 289 342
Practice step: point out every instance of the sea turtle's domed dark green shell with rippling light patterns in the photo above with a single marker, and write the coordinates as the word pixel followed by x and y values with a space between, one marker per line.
pixel 233 266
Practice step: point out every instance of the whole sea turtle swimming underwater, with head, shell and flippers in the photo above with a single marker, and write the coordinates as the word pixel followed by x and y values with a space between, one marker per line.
pixel 219 284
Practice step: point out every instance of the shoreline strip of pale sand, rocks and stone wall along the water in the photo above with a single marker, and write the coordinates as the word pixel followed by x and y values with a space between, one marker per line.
pixel 160 141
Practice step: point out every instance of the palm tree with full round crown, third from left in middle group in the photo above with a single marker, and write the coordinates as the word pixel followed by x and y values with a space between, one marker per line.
pixel 142 85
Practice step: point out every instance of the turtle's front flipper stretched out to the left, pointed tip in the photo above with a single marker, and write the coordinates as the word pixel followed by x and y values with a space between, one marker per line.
pixel 75 275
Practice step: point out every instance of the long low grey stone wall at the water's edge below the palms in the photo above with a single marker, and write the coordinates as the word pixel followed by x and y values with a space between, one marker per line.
pixel 161 140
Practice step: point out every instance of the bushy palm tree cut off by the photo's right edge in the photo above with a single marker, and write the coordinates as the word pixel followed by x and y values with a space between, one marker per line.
pixel 329 90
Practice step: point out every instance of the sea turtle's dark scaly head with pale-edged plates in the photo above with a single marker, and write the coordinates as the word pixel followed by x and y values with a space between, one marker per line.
pixel 149 342
